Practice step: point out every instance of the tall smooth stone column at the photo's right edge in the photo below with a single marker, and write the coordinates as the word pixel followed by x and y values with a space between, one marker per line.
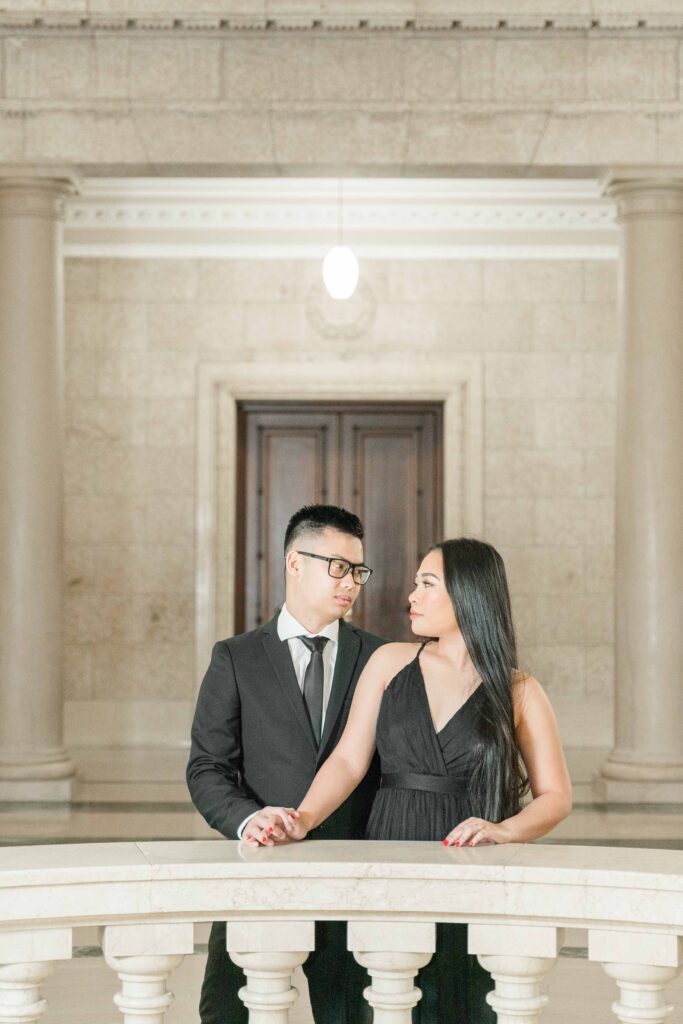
pixel 648 761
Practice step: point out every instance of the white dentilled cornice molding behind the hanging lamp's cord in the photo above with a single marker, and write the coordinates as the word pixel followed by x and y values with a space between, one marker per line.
pixel 382 219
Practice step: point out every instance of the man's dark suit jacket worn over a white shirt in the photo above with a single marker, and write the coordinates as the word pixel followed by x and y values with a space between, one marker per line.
pixel 252 742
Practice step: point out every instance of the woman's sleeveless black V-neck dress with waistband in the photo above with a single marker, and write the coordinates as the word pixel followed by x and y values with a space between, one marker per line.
pixel 454 985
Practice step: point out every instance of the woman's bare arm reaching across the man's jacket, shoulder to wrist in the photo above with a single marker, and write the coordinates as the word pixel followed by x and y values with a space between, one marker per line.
pixel 351 759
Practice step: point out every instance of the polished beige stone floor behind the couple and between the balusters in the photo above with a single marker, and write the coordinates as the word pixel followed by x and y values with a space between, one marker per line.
pixel 141 794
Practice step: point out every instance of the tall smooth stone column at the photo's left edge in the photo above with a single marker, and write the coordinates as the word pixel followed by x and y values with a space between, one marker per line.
pixel 33 761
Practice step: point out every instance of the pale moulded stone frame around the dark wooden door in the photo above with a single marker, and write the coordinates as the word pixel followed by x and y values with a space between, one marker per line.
pixel 457 381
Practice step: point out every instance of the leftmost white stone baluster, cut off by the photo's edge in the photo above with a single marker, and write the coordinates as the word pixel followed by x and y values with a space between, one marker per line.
pixel 26 961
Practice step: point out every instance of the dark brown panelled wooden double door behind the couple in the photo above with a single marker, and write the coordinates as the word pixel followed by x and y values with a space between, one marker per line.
pixel 382 462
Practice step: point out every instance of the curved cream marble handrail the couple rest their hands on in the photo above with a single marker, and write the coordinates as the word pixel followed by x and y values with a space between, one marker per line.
pixel 114 883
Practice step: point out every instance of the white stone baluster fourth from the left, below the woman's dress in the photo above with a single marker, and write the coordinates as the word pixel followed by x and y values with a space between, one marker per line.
pixel 393 952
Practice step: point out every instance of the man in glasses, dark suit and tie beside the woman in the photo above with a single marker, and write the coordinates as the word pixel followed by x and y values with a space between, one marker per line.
pixel 272 708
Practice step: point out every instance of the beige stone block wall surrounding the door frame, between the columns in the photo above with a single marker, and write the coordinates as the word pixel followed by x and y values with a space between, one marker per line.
pixel 137 332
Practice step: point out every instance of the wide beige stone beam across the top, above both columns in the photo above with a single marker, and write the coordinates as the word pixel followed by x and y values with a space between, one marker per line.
pixel 416 86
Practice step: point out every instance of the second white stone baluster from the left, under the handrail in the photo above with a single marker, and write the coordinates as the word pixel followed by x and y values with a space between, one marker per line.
pixel 144 957
